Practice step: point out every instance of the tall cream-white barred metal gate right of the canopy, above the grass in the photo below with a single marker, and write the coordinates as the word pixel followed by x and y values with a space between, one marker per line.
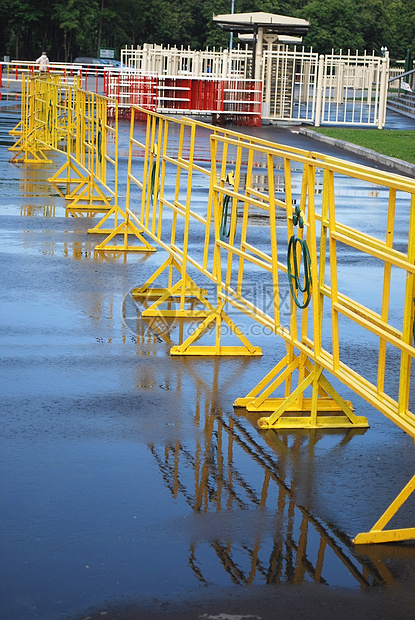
pixel 339 89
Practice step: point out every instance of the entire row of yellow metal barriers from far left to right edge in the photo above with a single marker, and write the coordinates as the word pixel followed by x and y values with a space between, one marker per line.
pixel 203 209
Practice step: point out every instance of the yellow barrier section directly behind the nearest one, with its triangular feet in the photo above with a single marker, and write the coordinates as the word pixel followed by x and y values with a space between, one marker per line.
pixel 171 218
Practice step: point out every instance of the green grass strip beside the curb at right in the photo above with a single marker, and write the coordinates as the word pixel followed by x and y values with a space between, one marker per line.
pixel 390 142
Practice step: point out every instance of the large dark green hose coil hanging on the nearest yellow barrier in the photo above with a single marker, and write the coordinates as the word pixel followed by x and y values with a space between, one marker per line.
pixel 294 267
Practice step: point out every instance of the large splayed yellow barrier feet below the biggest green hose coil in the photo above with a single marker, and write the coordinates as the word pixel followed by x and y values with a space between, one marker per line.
pixel 325 408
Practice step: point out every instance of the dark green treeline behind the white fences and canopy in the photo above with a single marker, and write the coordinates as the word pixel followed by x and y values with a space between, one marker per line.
pixel 68 28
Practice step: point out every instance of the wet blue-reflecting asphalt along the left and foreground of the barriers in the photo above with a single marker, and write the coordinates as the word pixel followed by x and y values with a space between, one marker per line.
pixel 130 486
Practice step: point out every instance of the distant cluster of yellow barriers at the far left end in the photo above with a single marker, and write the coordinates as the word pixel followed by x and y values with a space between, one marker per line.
pixel 59 115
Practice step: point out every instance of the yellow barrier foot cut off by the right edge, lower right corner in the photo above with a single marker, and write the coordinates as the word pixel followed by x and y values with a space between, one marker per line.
pixel 378 534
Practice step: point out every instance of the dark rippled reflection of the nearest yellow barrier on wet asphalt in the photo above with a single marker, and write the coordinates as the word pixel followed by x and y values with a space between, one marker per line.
pixel 248 515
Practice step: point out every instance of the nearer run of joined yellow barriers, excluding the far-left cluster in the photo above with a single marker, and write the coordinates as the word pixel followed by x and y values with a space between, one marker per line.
pixel 307 254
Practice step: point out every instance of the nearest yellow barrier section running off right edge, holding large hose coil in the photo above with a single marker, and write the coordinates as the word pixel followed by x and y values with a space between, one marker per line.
pixel 313 335
